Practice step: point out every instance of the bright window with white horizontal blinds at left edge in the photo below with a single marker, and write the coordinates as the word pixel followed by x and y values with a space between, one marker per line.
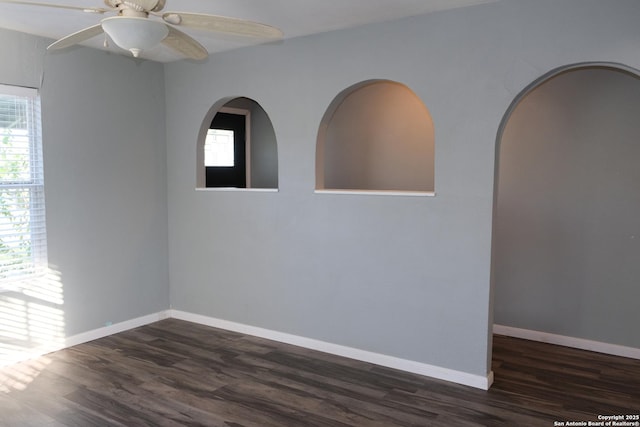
pixel 22 213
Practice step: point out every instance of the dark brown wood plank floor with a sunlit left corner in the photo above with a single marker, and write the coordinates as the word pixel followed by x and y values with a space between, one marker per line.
pixel 176 373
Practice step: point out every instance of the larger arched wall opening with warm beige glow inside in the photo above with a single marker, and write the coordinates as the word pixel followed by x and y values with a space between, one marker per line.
pixel 376 135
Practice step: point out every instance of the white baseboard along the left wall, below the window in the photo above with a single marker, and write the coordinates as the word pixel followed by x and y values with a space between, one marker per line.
pixel 59 344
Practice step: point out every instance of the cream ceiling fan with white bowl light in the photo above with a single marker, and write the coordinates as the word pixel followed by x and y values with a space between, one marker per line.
pixel 134 30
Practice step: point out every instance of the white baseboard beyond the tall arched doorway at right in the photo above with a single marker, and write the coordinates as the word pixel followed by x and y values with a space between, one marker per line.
pixel 580 343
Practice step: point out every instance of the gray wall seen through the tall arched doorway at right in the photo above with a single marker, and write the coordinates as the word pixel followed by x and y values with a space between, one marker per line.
pixel 567 233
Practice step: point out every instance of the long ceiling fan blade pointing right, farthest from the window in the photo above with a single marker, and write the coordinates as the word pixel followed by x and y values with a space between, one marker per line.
pixel 222 24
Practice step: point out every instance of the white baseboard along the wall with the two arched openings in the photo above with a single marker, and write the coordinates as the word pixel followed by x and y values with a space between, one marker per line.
pixel 477 381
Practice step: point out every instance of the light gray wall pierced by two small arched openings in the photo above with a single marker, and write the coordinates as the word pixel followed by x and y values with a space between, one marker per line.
pixel 408 277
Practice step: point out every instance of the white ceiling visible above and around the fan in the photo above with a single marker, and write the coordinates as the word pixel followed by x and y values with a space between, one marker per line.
pixel 294 17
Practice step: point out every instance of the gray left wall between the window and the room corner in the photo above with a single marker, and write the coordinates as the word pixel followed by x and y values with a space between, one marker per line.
pixel 105 177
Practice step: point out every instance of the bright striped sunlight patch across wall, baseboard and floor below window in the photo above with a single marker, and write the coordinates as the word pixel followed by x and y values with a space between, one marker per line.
pixel 31 324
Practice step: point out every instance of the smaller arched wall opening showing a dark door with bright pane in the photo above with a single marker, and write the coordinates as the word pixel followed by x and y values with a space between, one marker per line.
pixel 237 147
